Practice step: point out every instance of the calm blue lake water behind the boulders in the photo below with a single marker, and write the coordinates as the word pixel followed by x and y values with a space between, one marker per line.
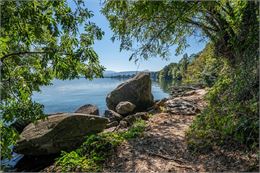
pixel 68 95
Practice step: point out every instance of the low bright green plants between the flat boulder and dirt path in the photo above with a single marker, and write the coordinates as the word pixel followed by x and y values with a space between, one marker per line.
pixel 96 149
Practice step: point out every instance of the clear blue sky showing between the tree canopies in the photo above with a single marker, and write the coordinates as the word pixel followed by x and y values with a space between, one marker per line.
pixel 111 57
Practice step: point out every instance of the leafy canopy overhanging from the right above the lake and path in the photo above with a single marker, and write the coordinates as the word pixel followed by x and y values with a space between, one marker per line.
pixel 157 25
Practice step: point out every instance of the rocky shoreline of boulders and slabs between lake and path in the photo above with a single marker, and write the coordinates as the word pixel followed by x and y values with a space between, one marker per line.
pixel 131 100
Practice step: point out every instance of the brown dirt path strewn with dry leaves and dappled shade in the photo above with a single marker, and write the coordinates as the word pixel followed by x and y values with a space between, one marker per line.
pixel 163 148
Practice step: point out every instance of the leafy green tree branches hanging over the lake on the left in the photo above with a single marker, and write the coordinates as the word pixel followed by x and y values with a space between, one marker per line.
pixel 40 41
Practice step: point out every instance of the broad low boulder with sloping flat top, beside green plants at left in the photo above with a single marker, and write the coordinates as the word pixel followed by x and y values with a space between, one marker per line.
pixel 58 132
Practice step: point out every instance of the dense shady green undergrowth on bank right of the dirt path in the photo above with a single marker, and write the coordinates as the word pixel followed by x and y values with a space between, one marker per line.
pixel 231 117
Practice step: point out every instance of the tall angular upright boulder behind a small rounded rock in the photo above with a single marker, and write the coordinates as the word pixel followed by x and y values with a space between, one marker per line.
pixel 136 90
